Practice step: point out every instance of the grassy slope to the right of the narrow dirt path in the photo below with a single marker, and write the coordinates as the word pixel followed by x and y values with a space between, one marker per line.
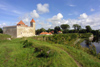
pixel 83 58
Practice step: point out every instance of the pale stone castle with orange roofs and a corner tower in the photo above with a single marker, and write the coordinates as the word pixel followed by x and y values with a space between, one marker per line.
pixel 20 30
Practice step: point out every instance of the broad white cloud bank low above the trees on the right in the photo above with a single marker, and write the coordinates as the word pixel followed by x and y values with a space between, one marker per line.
pixel 84 20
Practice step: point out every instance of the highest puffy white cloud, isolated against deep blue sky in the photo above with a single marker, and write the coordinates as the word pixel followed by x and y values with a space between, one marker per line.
pixel 42 8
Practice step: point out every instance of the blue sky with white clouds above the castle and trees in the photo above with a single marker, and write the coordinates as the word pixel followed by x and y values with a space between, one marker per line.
pixel 50 13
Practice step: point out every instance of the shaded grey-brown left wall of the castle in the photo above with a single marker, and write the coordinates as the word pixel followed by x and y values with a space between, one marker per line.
pixel 10 30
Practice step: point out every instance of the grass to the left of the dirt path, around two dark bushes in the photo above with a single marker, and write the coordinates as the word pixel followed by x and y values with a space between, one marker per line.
pixel 12 54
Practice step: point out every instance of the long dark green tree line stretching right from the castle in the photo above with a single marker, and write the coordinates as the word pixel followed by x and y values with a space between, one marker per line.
pixel 65 28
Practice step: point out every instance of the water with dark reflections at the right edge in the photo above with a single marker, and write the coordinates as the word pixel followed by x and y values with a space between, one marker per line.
pixel 96 42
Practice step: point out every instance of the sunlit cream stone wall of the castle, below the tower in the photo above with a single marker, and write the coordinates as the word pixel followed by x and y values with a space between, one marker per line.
pixel 25 31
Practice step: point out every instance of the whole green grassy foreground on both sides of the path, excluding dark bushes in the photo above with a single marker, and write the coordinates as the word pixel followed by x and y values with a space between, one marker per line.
pixel 12 54
